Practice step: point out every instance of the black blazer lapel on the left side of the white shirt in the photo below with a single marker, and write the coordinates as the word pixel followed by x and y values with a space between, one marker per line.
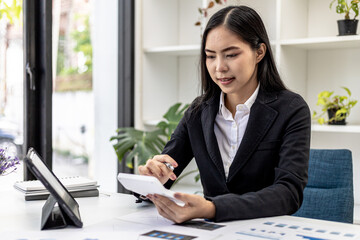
pixel 208 116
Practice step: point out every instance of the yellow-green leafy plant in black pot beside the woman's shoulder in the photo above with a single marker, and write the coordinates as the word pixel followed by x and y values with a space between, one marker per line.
pixel 337 107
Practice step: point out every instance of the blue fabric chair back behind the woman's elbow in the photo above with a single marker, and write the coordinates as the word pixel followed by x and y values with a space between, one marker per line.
pixel 329 192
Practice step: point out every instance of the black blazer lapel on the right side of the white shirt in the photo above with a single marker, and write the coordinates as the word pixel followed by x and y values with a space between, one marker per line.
pixel 260 120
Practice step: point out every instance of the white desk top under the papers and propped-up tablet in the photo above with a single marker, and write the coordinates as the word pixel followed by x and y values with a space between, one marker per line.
pixel 100 218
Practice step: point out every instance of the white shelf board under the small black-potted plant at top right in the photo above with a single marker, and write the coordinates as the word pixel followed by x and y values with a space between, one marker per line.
pixel 323 42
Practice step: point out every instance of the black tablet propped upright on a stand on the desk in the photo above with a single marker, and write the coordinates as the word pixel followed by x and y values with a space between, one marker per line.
pixel 57 191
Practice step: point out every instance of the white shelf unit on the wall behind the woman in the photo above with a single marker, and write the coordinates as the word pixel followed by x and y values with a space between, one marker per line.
pixel 303 34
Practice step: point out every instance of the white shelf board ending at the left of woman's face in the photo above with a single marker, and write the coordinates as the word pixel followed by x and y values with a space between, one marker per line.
pixel 180 50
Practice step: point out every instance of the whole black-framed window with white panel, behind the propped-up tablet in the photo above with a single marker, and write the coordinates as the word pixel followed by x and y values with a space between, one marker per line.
pixel 60 120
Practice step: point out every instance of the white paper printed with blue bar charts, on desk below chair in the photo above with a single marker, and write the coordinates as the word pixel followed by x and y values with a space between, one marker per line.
pixel 272 230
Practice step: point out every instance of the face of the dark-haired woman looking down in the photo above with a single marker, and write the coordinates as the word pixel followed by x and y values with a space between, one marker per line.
pixel 232 63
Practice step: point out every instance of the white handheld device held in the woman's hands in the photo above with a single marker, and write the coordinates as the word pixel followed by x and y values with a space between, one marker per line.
pixel 145 185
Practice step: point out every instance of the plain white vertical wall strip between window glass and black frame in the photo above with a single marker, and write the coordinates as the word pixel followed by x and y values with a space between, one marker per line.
pixel 105 62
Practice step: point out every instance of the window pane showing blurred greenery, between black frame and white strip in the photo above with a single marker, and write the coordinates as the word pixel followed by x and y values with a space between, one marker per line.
pixel 73 100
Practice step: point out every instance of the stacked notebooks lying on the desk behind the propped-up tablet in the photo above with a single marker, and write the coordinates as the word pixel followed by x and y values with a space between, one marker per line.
pixel 77 186
